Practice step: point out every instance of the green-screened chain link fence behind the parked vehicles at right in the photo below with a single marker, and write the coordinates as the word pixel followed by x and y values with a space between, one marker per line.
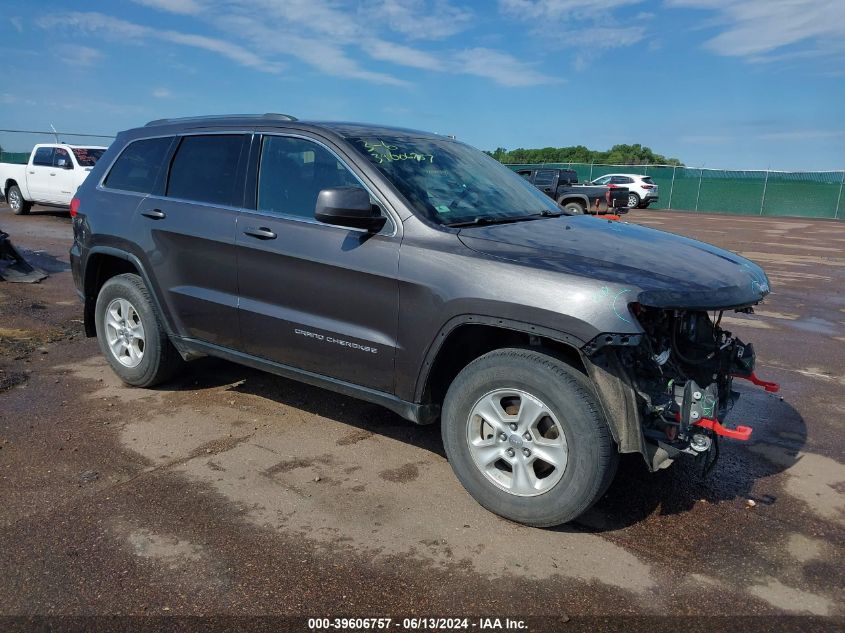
pixel 743 192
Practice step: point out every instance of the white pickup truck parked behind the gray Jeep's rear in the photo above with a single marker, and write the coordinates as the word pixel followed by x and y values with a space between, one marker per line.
pixel 51 177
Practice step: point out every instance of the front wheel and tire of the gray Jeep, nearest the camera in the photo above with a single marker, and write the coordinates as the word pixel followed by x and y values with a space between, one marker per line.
pixel 526 437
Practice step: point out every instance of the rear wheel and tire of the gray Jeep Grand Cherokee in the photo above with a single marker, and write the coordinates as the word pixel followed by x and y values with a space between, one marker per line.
pixel 131 335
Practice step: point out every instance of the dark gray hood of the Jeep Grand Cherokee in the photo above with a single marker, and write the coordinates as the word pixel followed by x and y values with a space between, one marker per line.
pixel 667 270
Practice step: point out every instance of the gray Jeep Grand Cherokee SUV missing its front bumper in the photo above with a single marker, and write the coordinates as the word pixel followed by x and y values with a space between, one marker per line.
pixel 413 271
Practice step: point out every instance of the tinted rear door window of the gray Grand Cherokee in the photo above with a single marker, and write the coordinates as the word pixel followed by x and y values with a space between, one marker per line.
pixel 205 169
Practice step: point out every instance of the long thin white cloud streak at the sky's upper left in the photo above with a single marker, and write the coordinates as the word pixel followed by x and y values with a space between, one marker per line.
pixel 123 31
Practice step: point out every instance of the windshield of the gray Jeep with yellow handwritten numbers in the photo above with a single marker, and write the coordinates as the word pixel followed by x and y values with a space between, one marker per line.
pixel 449 182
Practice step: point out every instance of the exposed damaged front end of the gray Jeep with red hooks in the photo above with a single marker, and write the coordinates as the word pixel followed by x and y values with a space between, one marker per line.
pixel 667 391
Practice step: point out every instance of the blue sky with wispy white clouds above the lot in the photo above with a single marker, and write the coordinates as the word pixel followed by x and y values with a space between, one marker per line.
pixel 718 83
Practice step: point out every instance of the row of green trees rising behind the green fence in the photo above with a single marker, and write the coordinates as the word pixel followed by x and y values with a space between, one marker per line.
pixel 617 155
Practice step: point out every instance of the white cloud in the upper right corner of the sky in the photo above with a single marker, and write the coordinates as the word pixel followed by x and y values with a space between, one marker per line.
pixel 752 29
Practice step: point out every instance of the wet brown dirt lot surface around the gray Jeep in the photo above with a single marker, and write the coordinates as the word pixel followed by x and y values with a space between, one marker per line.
pixel 234 492
